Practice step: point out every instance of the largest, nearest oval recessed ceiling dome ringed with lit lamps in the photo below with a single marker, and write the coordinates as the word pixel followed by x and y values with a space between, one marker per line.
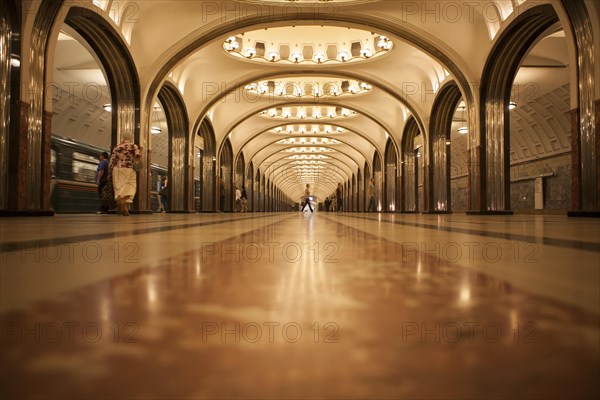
pixel 308 45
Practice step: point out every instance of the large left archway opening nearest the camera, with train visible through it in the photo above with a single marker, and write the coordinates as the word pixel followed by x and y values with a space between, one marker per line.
pixel 82 123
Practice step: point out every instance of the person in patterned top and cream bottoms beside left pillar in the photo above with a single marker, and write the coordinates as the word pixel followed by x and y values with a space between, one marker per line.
pixel 123 174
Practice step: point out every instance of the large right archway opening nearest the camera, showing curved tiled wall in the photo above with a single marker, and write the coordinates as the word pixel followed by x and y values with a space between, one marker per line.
pixel 540 129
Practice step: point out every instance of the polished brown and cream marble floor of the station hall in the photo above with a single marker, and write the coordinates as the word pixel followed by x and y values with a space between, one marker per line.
pixel 297 305
